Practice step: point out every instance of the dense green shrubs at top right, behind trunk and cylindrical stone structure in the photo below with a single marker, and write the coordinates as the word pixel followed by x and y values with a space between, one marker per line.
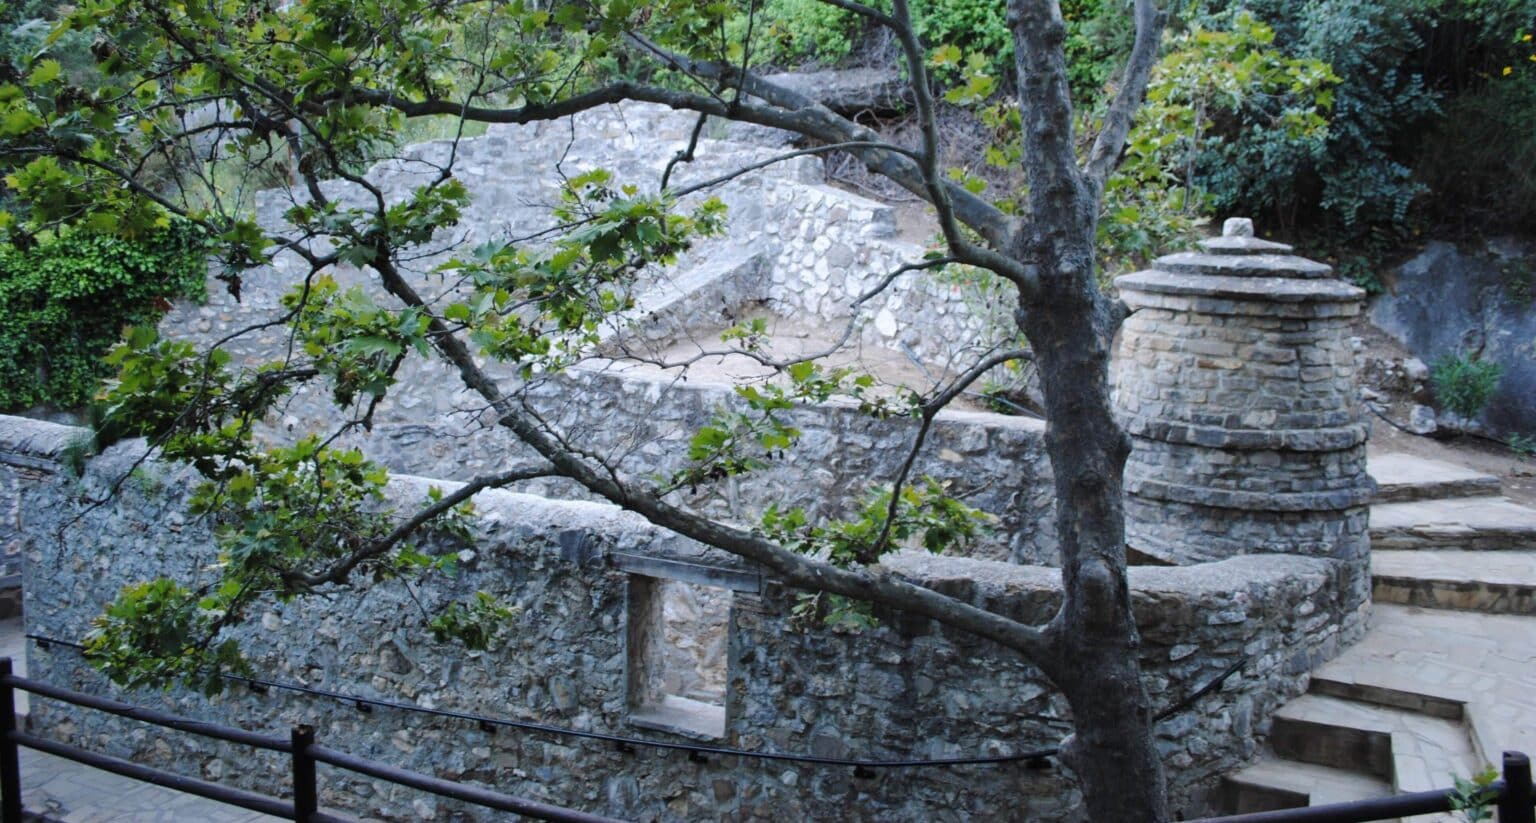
pixel 1428 113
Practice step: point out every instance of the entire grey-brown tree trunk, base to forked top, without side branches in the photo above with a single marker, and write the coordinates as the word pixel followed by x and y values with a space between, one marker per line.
pixel 1096 647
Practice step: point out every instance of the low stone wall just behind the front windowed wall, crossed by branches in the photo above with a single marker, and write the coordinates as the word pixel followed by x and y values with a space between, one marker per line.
pixel 643 421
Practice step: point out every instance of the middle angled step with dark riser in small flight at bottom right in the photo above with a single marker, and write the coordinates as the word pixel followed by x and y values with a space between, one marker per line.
pixel 1414 752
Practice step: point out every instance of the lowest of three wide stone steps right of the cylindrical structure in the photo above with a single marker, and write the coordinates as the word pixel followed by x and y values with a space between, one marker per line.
pixel 1501 583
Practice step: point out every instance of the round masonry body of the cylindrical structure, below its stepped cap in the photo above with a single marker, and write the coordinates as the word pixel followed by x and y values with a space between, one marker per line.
pixel 1245 414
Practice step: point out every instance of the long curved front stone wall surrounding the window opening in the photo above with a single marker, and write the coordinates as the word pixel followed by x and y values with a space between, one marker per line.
pixel 907 689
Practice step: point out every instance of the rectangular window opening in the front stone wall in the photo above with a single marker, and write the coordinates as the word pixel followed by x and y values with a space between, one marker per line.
pixel 678 656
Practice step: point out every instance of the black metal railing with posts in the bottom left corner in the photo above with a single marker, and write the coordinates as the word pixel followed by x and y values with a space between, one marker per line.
pixel 302 749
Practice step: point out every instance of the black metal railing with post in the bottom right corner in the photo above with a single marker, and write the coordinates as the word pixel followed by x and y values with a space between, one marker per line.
pixel 1511 796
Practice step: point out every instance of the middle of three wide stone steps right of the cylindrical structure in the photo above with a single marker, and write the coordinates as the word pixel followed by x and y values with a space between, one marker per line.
pixel 1454 524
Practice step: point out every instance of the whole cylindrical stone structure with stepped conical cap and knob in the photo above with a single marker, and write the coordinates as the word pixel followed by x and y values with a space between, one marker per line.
pixel 1236 378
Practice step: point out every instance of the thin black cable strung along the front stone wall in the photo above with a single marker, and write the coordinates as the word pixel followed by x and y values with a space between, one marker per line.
pixel 695 750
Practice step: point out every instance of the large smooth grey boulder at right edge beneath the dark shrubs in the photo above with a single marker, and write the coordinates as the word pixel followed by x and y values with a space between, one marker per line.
pixel 1472 302
